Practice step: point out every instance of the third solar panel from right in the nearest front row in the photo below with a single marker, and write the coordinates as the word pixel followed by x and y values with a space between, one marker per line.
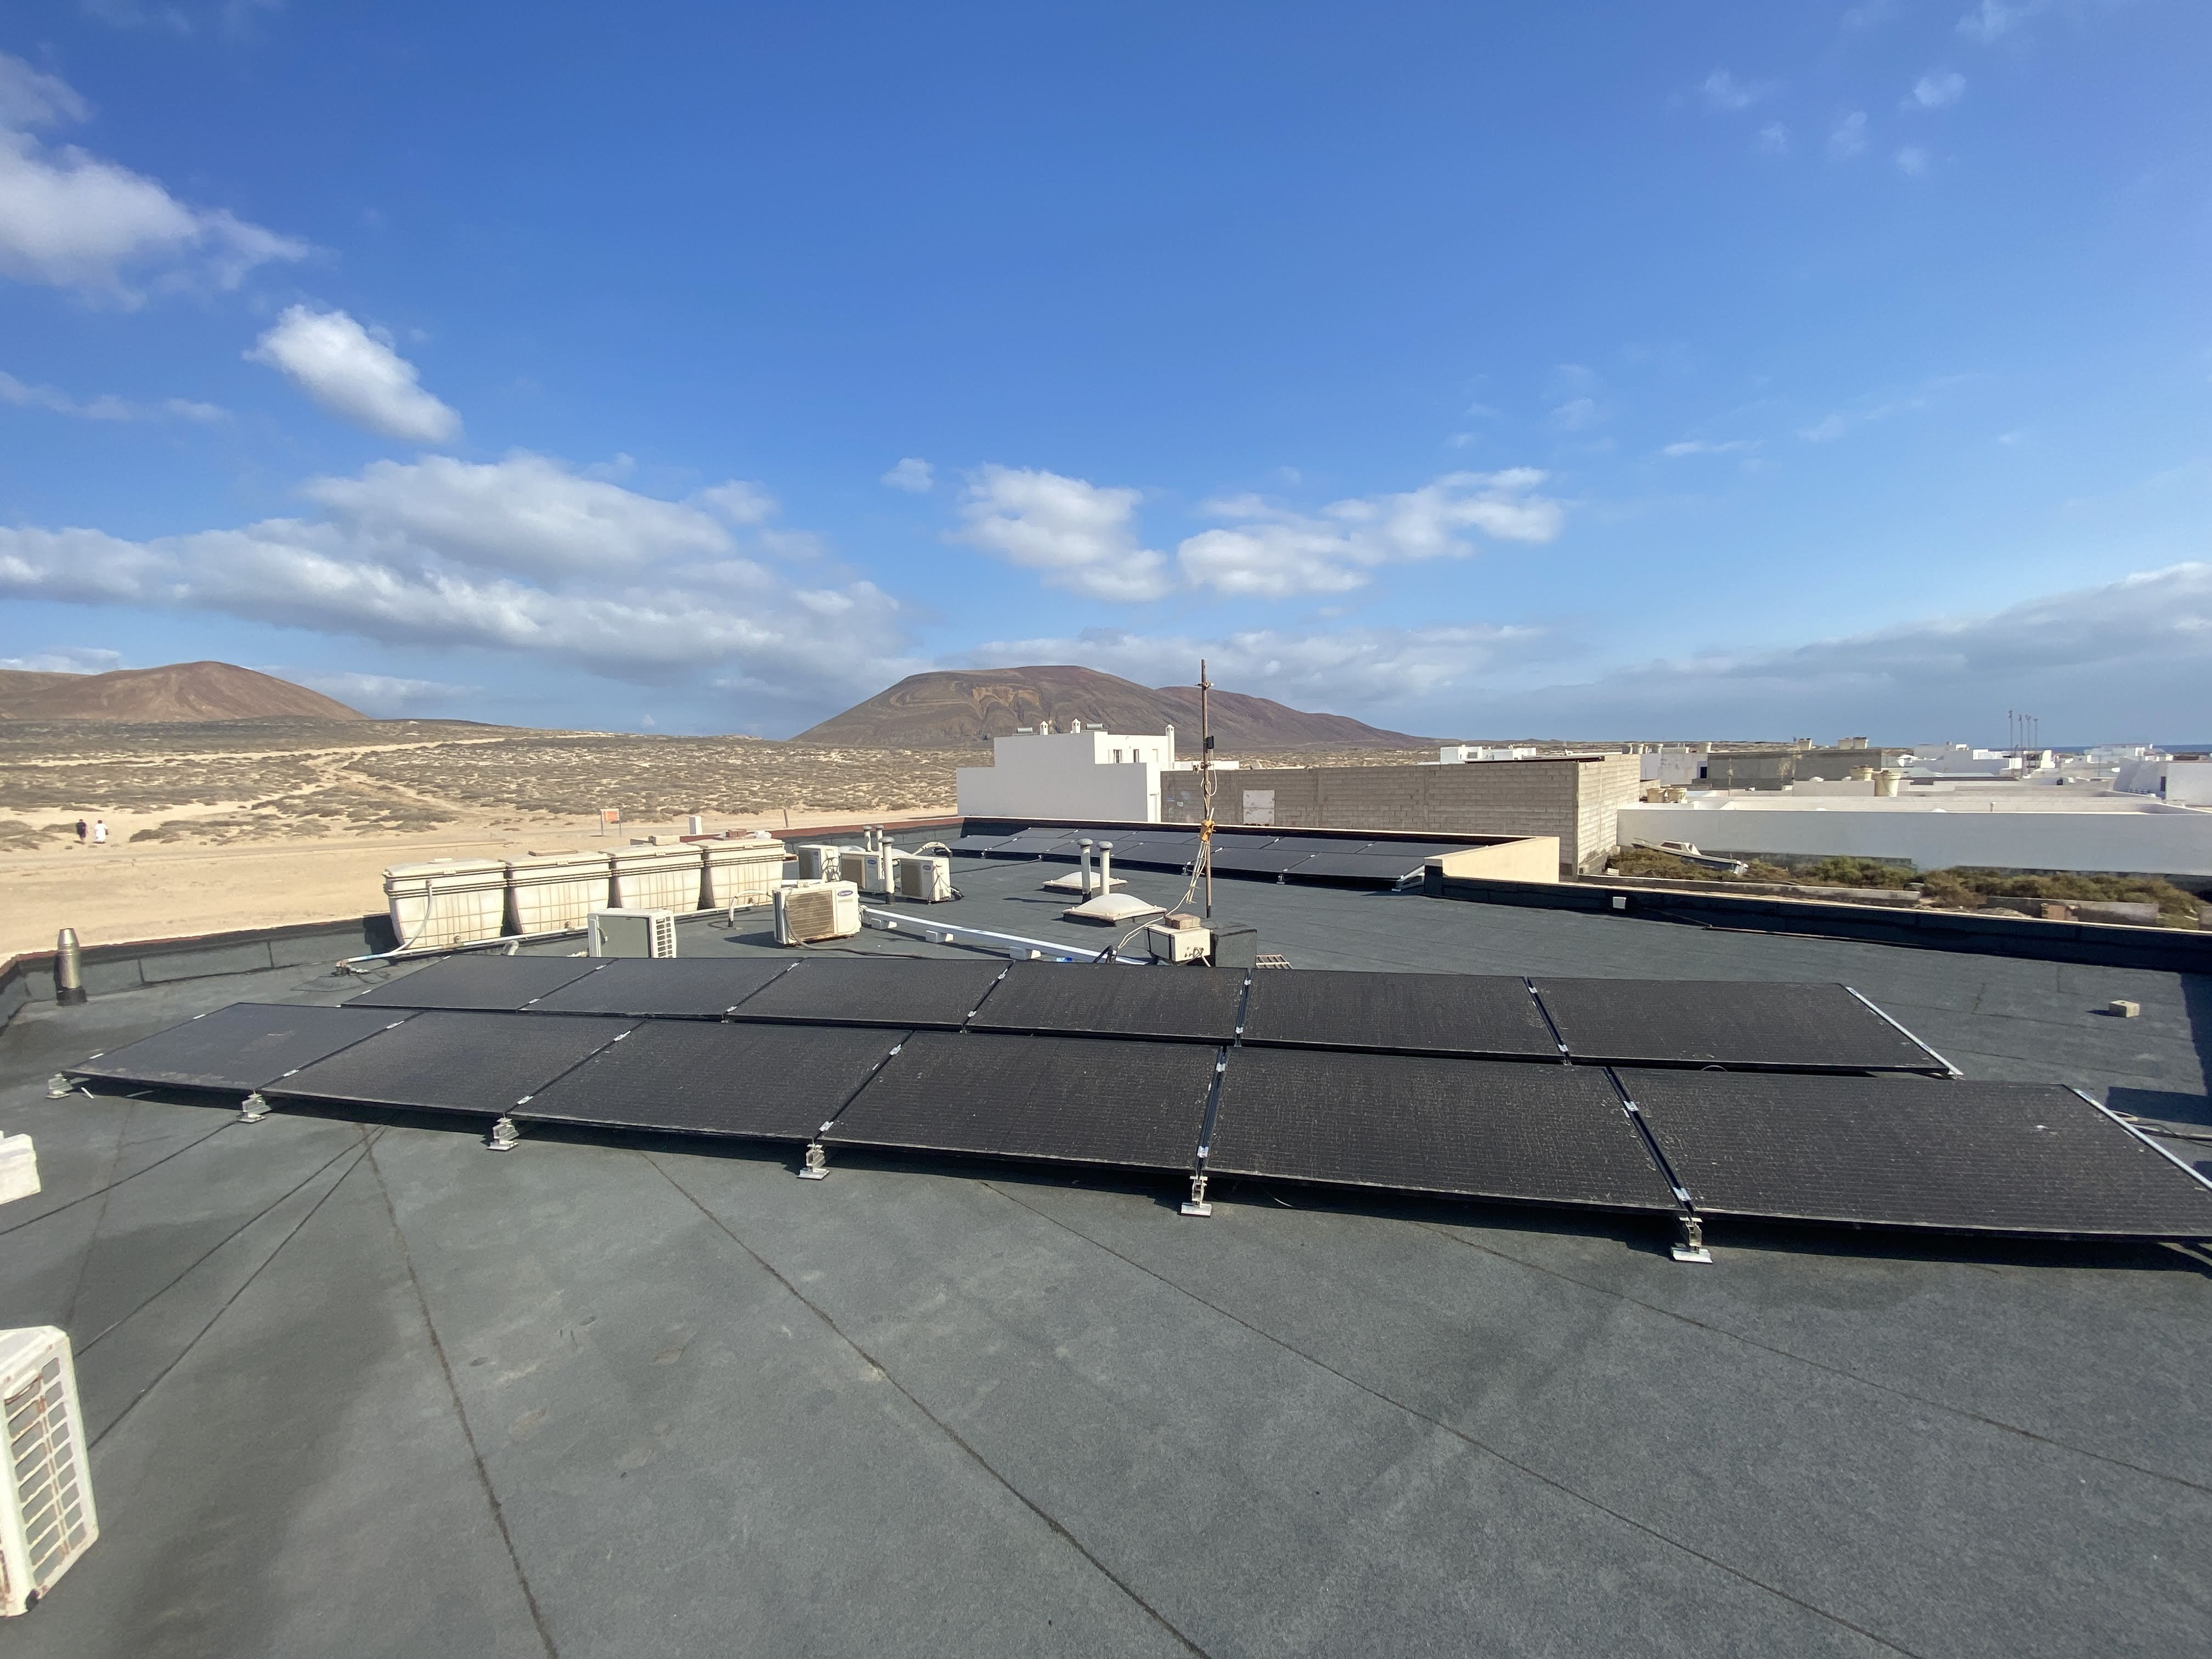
pixel 1136 1105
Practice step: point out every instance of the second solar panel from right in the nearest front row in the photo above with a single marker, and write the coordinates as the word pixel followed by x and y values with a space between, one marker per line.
pixel 1481 1129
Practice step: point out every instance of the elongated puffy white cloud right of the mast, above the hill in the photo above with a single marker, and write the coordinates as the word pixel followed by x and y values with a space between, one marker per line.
pixel 1277 552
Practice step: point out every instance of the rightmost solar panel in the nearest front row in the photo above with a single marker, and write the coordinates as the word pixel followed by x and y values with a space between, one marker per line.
pixel 1983 1158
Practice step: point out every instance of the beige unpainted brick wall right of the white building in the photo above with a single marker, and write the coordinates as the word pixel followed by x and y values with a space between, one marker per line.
pixel 1578 802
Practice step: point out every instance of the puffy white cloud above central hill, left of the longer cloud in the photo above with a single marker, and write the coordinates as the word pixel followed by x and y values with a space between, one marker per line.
pixel 1078 534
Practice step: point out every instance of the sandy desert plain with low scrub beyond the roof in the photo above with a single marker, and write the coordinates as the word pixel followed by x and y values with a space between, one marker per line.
pixel 260 824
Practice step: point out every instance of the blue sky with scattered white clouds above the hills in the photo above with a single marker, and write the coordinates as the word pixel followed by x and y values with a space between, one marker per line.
pixel 1587 371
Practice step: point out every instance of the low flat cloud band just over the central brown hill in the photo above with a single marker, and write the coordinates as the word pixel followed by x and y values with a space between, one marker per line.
pixel 1335 671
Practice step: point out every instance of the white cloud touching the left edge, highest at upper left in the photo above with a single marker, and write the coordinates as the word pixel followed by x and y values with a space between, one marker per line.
pixel 74 220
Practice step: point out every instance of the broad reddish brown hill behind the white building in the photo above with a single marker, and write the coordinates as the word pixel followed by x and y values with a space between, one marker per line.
pixel 968 709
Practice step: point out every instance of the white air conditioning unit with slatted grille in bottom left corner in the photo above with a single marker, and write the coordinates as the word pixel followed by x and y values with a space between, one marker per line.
pixel 48 1510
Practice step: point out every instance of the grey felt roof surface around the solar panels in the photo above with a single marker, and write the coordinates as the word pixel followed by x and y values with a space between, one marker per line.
pixel 373 1390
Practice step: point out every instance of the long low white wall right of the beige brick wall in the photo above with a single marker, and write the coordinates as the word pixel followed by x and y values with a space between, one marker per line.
pixel 2162 842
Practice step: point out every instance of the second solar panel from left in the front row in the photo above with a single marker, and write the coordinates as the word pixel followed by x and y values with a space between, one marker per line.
pixel 455 1063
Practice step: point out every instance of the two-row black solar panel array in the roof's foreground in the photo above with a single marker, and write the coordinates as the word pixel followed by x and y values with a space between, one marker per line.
pixel 1412 1083
